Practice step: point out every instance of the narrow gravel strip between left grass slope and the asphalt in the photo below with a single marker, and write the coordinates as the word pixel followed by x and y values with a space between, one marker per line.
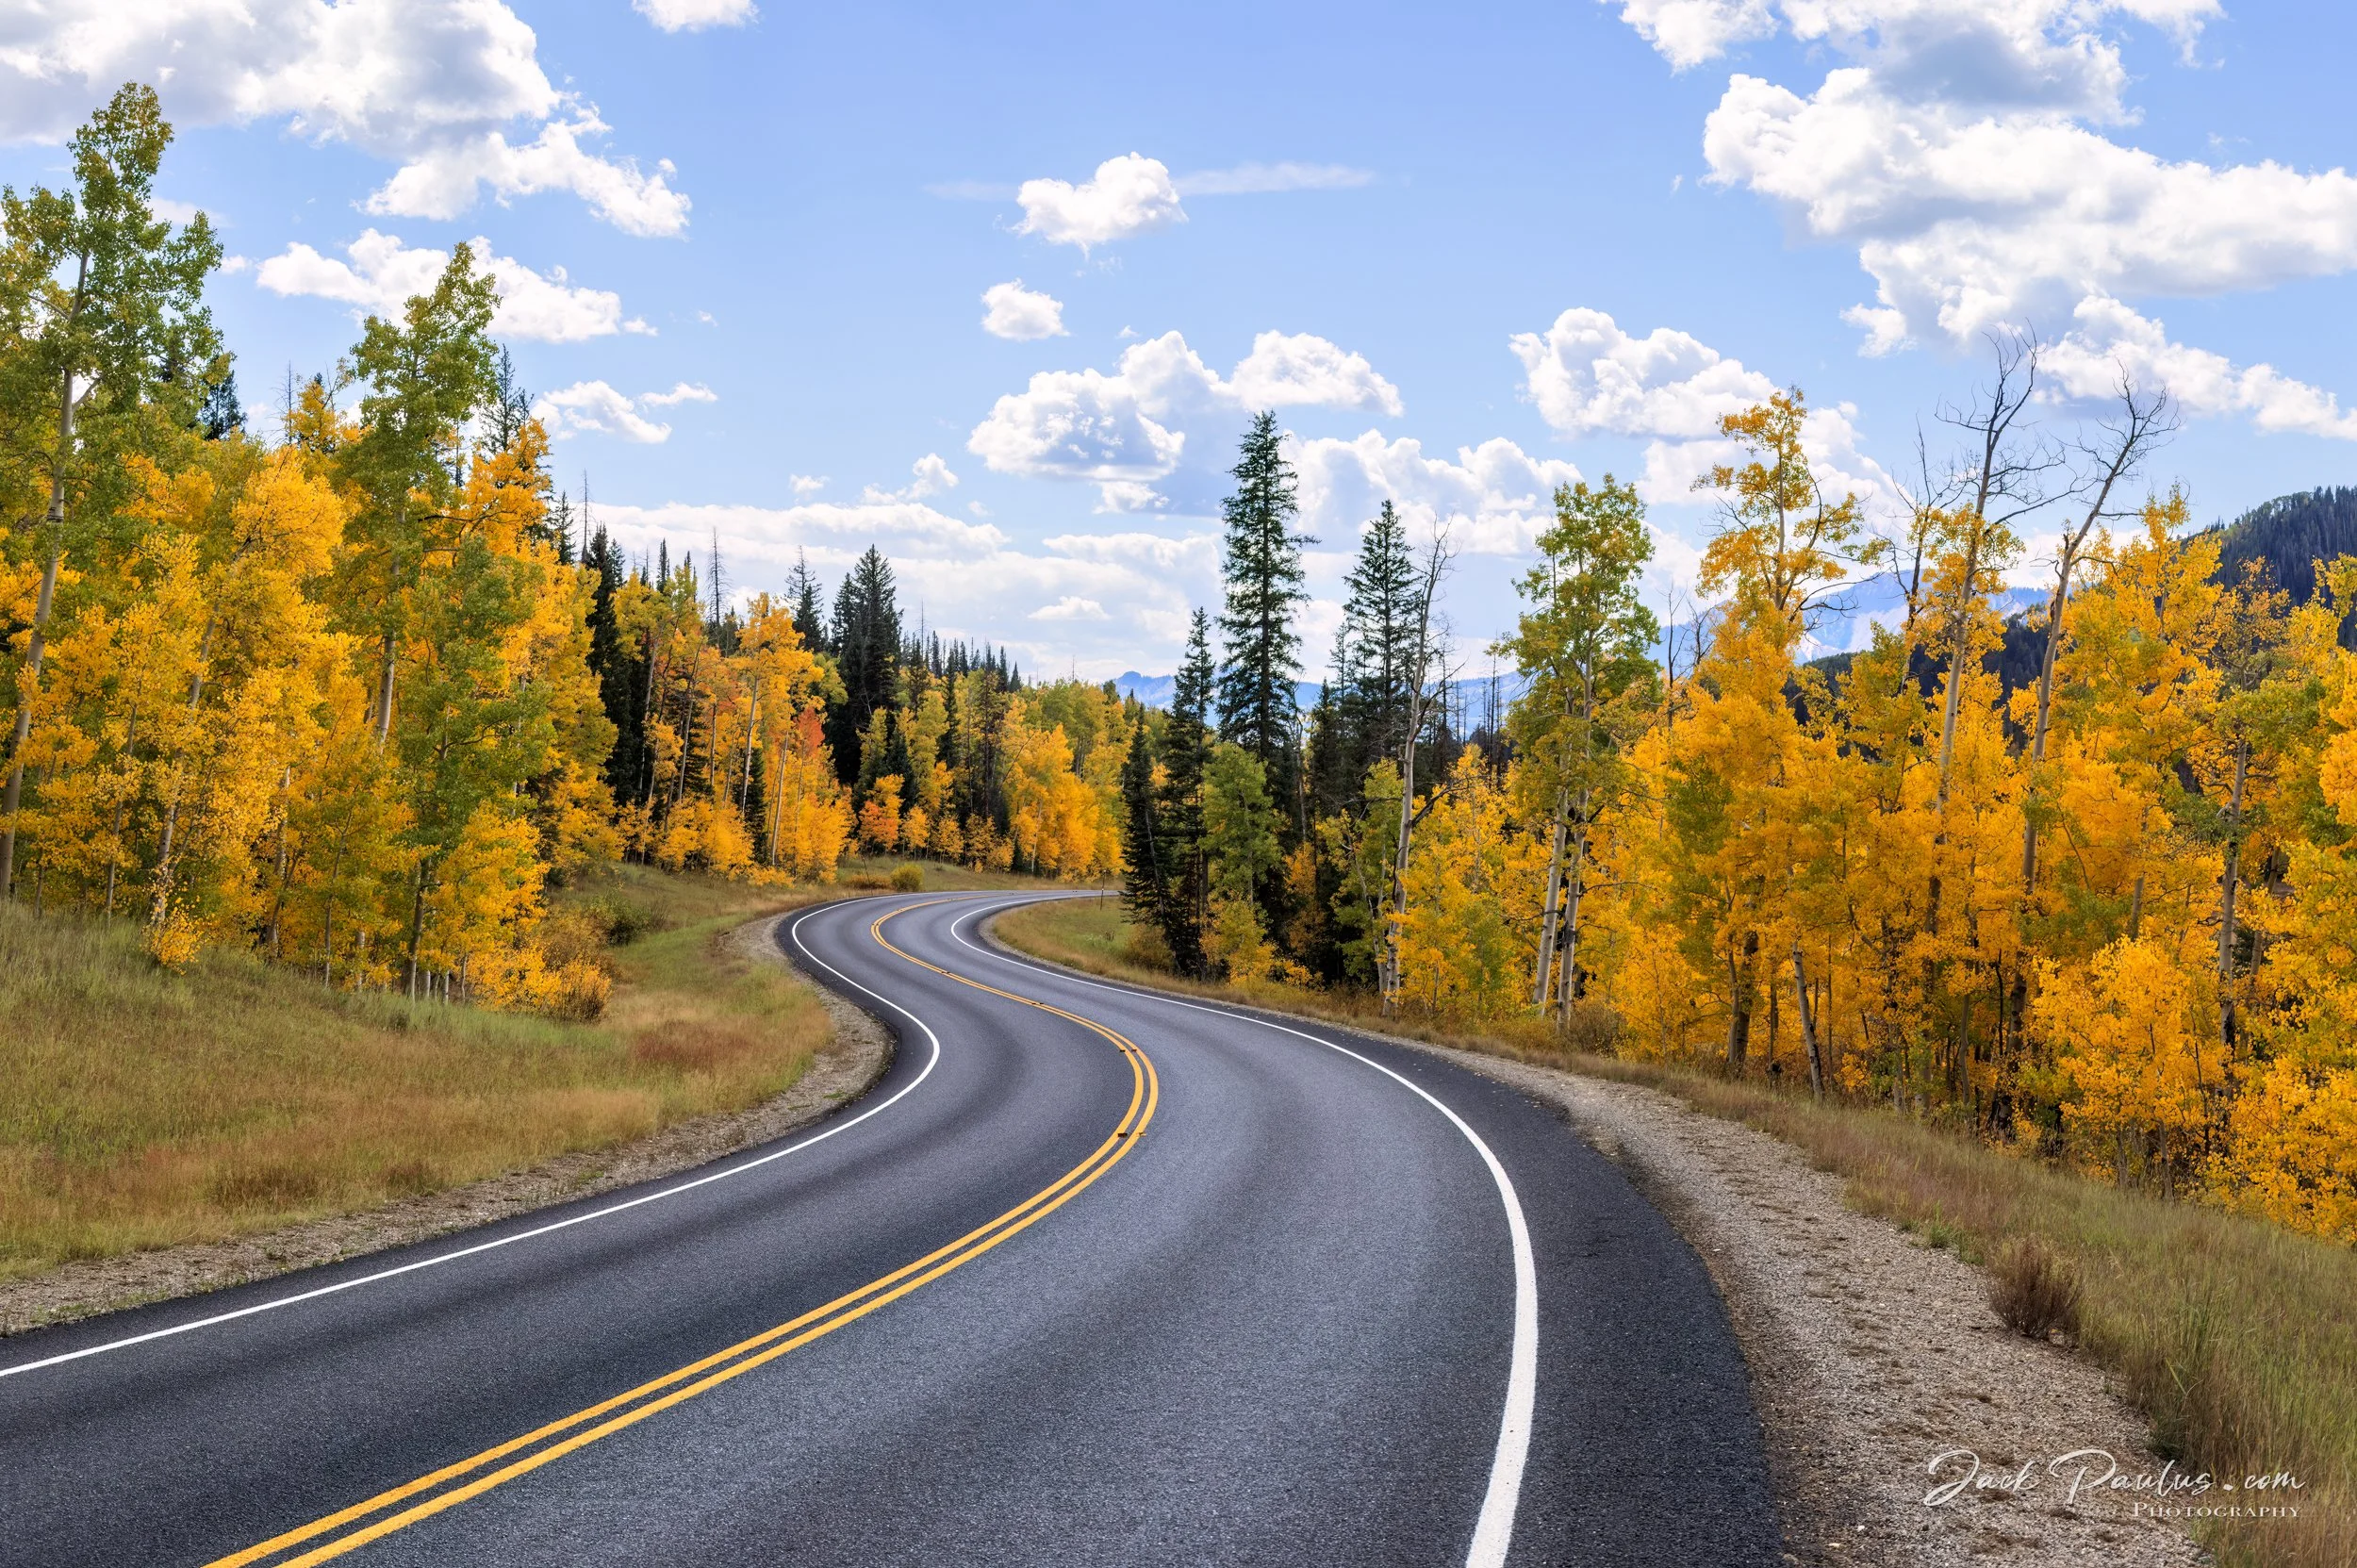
pixel 838 1074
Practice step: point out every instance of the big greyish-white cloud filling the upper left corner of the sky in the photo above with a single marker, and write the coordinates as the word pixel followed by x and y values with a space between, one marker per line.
pixel 433 86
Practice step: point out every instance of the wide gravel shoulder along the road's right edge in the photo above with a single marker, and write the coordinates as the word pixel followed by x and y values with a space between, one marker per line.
pixel 1873 1355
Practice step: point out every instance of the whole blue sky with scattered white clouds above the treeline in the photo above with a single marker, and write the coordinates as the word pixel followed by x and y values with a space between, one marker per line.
pixel 1465 251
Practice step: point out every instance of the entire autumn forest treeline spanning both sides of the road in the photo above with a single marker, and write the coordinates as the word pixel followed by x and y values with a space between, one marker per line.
pixel 357 692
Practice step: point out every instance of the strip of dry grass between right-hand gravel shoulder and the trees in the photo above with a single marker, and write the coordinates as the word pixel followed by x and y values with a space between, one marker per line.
pixel 2233 1336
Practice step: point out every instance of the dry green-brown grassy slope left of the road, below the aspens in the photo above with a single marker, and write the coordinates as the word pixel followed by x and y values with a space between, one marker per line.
pixel 143 1109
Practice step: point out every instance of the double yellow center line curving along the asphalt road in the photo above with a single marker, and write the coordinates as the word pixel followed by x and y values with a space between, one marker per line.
pixel 473 1477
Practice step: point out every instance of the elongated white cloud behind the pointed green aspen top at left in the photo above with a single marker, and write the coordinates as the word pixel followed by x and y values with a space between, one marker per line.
pixel 383 275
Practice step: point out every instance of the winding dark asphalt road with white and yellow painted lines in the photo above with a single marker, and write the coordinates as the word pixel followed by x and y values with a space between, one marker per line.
pixel 1090 1277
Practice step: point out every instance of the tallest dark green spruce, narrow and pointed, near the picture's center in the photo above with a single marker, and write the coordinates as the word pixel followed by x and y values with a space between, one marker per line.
pixel 1262 565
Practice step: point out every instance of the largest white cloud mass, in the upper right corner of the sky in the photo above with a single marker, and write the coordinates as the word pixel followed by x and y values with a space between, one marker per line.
pixel 1972 154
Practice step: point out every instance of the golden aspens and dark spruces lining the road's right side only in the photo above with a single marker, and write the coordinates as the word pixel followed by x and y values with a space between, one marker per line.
pixel 2106 914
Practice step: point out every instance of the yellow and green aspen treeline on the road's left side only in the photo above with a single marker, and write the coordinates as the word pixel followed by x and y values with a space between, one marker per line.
pixel 357 692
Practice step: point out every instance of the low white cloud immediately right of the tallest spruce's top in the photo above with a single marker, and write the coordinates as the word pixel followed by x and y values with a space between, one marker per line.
pixel 1493 499
